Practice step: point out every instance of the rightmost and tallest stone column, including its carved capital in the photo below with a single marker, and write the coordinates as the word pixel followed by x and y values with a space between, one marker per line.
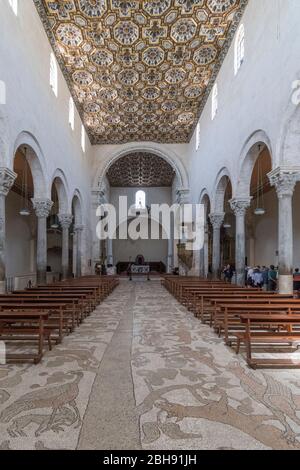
pixel 284 180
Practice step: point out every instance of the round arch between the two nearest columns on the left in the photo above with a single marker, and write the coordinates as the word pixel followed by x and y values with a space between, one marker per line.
pixel 36 162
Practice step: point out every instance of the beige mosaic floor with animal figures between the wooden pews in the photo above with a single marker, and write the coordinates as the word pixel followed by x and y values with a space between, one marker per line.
pixel 142 372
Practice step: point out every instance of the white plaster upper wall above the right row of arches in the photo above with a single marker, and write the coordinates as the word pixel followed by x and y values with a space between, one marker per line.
pixel 256 98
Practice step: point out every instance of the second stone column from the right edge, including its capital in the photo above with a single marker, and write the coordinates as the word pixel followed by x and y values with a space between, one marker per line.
pixel 239 206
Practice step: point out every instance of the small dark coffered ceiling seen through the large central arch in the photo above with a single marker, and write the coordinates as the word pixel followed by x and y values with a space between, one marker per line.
pixel 140 169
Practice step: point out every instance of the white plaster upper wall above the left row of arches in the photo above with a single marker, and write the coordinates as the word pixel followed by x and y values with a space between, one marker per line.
pixel 32 107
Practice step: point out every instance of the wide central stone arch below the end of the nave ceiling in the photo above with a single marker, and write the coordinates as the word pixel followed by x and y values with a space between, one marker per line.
pixel 169 157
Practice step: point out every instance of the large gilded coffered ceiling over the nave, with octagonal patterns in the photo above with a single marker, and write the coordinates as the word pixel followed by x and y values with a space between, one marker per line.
pixel 140 70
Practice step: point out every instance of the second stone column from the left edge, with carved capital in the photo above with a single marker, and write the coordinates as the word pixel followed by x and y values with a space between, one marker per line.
pixel 42 209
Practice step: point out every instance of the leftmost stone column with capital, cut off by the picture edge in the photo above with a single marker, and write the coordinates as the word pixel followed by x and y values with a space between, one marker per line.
pixel 7 179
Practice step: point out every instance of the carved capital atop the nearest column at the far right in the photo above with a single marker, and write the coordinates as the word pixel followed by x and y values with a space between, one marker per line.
pixel 284 179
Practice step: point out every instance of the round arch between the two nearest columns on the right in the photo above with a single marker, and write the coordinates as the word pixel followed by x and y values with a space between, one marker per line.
pixel 249 155
